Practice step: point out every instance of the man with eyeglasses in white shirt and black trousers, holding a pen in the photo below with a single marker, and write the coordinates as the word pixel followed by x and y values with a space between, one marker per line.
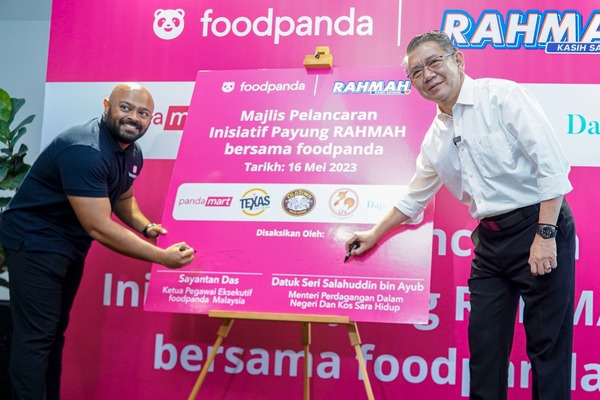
pixel 494 149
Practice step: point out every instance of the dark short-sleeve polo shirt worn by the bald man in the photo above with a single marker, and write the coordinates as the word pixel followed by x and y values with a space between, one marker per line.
pixel 82 161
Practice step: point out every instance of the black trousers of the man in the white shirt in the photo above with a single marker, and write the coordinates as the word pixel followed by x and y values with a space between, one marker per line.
pixel 500 274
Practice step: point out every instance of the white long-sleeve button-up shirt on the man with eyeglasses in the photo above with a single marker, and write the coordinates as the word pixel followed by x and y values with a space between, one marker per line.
pixel 498 152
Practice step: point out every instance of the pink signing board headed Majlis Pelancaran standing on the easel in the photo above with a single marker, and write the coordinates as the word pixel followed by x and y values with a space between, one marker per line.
pixel 275 170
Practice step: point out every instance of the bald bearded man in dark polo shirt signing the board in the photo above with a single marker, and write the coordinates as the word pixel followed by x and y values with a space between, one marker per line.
pixel 65 202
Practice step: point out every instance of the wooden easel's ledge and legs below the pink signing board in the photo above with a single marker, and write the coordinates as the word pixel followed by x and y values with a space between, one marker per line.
pixel 306 320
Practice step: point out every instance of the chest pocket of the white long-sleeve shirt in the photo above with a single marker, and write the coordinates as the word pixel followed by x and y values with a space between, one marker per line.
pixel 495 154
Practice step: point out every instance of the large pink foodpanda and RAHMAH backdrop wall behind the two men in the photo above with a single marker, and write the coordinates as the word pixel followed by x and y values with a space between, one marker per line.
pixel 116 350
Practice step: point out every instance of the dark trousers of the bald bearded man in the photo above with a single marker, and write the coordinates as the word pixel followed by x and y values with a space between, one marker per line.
pixel 42 291
